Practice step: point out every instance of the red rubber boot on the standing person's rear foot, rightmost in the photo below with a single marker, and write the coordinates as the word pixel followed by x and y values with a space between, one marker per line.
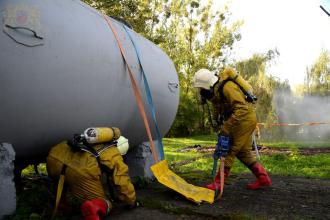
pixel 262 177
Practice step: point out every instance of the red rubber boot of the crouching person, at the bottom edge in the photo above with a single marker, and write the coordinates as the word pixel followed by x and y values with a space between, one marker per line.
pixel 94 209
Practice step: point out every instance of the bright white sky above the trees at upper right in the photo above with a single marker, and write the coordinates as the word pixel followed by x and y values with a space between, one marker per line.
pixel 299 29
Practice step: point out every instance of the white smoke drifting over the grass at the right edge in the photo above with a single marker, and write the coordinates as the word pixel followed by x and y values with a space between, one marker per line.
pixel 302 110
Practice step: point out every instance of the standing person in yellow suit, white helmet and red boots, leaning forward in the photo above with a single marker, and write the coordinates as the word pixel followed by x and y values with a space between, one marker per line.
pixel 233 101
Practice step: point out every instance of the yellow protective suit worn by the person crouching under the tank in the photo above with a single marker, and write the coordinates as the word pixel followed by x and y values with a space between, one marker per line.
pixel 83 175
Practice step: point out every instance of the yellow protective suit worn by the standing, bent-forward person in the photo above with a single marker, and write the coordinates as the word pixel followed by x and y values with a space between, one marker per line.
pixel 240 121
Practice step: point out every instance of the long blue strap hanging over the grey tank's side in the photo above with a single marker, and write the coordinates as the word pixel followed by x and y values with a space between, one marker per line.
pixel 148 94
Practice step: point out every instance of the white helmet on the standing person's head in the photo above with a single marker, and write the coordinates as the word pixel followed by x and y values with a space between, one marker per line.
pixel 205 79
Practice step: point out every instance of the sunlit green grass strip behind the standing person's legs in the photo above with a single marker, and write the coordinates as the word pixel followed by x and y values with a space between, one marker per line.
pixel 314 166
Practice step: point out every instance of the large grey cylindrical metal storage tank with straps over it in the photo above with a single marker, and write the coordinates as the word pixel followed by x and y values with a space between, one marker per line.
pixel 61 72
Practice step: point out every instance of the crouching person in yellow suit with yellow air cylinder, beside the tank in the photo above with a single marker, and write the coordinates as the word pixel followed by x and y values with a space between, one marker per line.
pixel 89 162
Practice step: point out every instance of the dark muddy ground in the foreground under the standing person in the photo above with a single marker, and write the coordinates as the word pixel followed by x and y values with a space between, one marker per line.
pixel 288 198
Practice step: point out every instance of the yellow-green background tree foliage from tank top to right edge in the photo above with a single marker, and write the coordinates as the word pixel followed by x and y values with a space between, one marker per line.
pixel 195 36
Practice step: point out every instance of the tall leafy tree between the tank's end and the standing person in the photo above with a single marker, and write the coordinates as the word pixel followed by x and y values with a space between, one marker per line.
pixel 194 37
